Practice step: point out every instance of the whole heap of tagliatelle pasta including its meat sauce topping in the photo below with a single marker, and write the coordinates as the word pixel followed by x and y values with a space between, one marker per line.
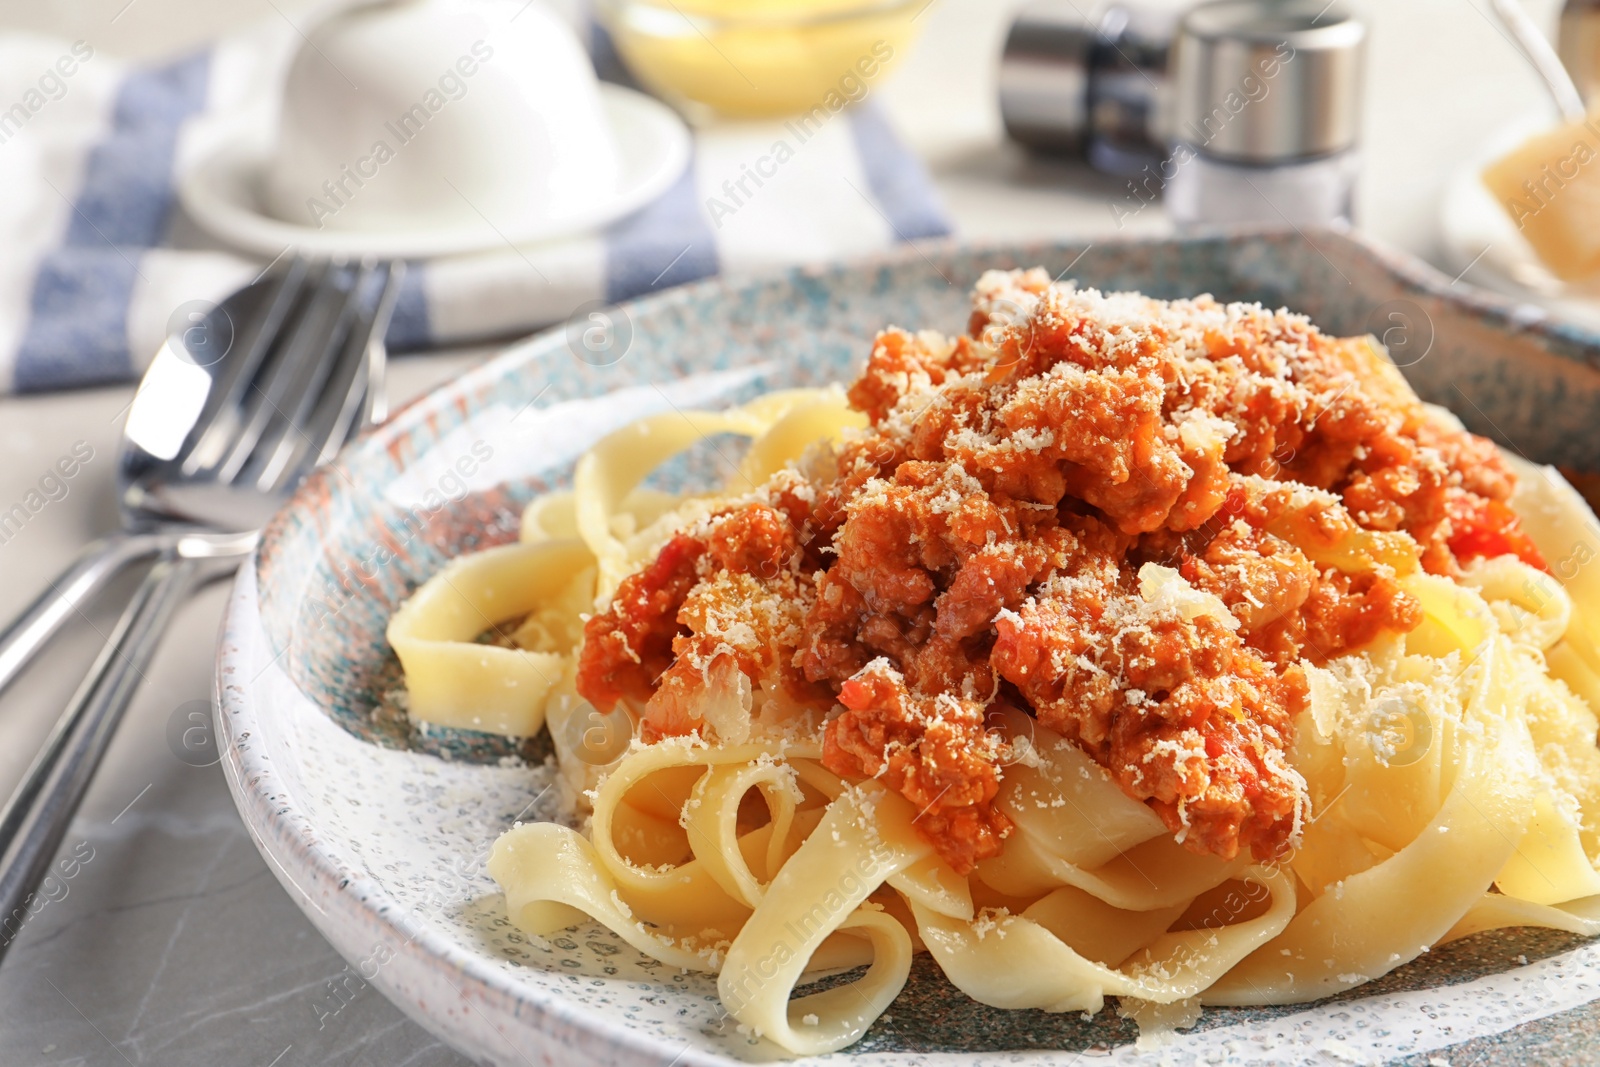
pixel 1162 652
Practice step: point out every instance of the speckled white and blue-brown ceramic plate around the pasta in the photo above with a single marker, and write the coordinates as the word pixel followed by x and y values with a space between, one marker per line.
pixel 378 829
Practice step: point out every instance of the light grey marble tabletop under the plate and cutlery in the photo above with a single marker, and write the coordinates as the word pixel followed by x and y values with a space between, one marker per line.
pixel 172 943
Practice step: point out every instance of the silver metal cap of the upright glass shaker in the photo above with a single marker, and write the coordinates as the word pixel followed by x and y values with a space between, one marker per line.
pixel 1268 81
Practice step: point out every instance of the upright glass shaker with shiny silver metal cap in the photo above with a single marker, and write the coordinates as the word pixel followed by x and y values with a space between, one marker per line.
pixel 1266 106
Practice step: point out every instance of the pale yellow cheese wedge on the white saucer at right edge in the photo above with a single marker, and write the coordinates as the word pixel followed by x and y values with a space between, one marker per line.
pixel 1551 190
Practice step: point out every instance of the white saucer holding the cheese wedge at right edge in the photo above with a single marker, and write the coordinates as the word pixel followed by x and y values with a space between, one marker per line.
pixel 1482 242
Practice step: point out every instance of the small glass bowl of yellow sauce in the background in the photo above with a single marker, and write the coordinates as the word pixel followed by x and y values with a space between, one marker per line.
pixel 761 58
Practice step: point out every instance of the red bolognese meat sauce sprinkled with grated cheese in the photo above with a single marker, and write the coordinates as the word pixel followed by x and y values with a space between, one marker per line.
pixel 990 538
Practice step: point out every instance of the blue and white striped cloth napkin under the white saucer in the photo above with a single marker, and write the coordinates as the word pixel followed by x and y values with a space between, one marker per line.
pixel 98 255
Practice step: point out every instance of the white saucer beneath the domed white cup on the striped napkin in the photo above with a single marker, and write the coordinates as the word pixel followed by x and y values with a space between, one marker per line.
pixel 223 193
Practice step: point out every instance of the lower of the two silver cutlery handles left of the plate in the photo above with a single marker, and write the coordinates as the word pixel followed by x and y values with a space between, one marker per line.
pixel 38 815
